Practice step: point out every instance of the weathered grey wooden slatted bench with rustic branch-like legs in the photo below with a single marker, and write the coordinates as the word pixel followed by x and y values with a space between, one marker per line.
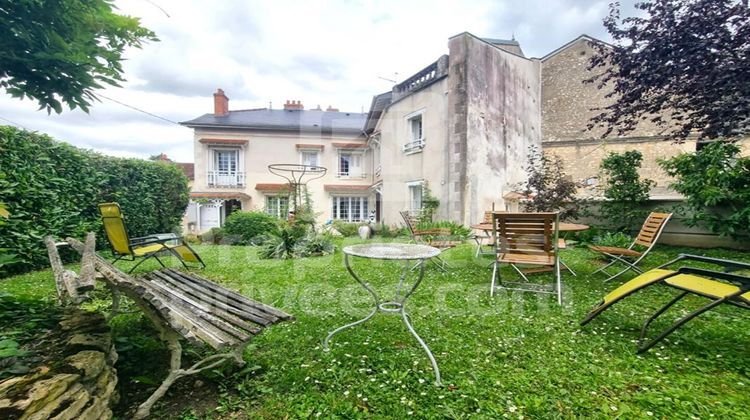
pixel 181 306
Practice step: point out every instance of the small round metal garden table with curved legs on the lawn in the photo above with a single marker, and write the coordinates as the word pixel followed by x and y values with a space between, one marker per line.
pixel 392 251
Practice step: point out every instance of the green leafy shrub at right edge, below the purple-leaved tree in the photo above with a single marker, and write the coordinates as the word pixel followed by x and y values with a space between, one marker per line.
pixel 716 183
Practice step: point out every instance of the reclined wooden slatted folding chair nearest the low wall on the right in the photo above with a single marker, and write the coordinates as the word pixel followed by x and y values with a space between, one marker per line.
pixel 630 256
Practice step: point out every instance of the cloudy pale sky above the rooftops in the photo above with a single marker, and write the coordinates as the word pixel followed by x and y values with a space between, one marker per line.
pixel 323 53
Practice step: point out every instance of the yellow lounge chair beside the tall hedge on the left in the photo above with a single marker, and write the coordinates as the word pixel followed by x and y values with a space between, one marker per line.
pixel 125 248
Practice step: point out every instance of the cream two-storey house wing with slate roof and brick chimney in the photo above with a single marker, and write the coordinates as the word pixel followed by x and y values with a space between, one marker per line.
pixel 234 148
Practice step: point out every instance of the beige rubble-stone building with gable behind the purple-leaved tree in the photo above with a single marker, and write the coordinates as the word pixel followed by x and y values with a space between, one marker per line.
pixel 567 107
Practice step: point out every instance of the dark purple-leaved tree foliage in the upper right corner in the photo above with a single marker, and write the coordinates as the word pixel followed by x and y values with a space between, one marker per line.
pixel 685 66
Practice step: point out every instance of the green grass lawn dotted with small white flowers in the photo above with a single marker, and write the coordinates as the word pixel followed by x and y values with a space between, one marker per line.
pixel 514 355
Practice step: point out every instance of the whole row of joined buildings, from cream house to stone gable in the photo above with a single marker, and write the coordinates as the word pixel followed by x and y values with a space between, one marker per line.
pixel 462 126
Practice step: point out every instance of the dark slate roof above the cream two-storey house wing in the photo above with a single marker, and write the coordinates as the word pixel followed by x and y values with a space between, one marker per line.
pixel 285 120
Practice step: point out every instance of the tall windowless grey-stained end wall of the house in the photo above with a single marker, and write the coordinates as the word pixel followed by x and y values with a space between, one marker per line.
pixel 495 101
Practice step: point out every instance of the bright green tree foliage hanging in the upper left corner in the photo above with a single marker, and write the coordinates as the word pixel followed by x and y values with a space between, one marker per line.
pixel 60 51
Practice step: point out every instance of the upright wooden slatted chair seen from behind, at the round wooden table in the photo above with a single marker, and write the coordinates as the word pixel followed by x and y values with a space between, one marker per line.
pixel 529 239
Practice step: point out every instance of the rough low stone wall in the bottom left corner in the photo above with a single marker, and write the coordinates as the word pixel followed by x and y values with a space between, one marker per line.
pixel 81 385
